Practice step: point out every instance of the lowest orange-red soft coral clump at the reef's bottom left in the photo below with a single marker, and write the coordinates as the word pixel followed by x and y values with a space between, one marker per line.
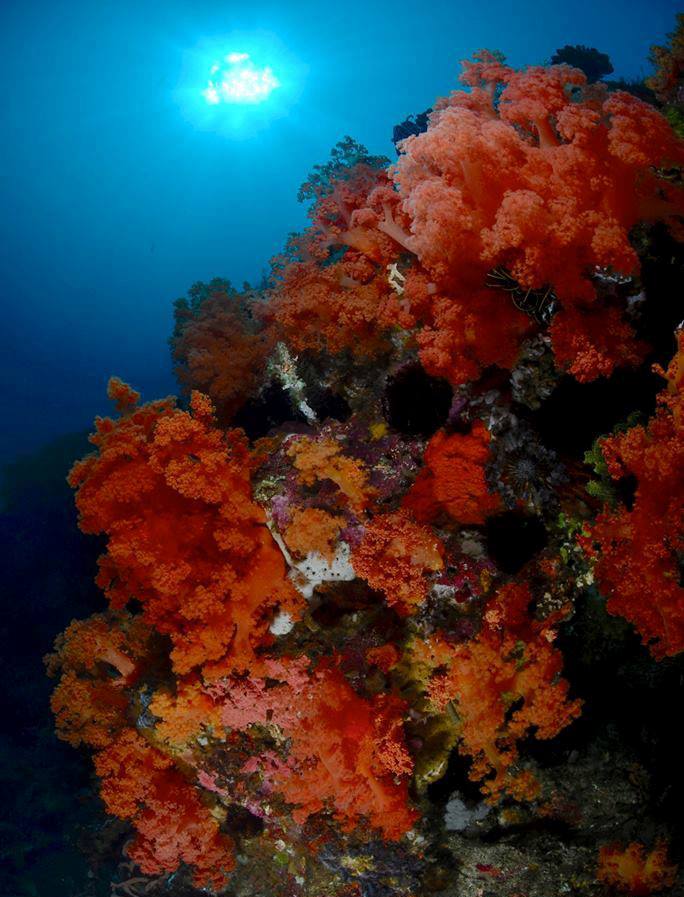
pixel 172 825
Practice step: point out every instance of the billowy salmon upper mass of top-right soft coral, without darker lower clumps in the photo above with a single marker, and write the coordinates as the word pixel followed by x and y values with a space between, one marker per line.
pixel 481 194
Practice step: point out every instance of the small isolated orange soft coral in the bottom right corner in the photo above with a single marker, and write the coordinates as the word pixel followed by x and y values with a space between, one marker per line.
pixel 631 870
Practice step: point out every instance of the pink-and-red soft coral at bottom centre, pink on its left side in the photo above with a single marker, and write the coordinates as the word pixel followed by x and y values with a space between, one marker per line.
pixel 346 753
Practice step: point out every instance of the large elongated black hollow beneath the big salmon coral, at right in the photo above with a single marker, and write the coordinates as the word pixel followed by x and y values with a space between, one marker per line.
pixel 575 414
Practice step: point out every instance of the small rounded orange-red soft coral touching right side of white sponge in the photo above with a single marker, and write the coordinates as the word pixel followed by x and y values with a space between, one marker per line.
pixel 394 556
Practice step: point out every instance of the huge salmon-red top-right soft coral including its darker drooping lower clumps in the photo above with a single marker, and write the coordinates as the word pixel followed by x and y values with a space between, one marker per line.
pixel 546 185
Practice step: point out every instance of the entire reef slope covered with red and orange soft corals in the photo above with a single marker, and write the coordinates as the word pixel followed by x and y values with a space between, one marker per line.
pixel 354 575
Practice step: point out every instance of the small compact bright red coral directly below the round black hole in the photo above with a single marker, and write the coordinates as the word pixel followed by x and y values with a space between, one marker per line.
pixel 453 479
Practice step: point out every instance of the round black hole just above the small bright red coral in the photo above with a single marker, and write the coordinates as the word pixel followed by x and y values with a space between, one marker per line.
pixel 414 403
